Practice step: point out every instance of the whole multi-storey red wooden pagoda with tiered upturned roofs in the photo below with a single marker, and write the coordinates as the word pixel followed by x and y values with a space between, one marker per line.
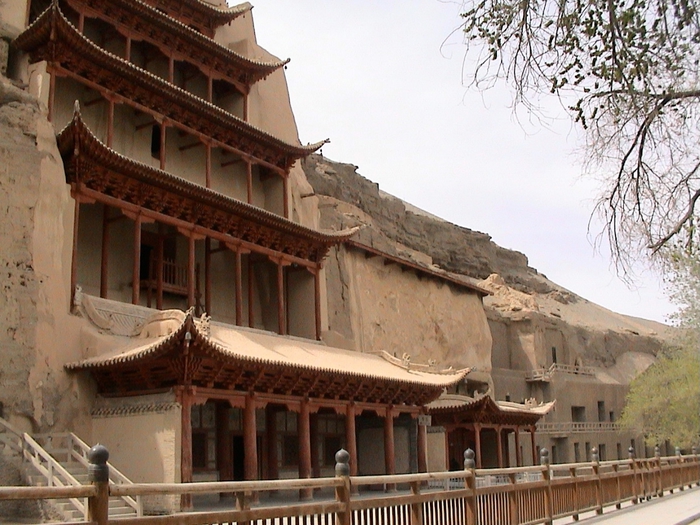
pixel 182 202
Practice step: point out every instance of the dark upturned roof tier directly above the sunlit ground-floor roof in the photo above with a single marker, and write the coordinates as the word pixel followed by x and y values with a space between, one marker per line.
pixel 94 166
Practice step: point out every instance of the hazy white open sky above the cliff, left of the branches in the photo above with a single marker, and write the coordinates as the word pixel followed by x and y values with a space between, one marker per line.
pixel 383 80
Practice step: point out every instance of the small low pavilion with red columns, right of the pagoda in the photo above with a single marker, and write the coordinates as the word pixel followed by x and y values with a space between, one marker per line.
pixel 470 422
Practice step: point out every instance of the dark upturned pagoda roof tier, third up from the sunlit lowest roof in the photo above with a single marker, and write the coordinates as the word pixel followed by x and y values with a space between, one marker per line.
pixel 54 39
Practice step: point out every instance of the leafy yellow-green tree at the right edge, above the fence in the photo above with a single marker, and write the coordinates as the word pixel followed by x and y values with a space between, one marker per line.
pixel 664 401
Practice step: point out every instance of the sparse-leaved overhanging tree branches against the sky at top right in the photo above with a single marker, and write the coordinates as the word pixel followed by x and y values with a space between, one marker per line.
pixel 628 71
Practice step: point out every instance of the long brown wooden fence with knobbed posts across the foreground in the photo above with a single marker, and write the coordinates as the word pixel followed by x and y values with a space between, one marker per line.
pixel 517 496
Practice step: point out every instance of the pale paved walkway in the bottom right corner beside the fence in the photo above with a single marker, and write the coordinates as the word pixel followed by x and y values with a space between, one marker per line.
pixel 679 508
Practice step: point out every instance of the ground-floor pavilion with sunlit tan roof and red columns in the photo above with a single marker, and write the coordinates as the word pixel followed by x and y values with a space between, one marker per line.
pixel 236 371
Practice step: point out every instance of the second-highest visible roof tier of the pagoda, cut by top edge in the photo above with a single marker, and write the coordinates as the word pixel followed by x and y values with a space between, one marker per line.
pixel 134 17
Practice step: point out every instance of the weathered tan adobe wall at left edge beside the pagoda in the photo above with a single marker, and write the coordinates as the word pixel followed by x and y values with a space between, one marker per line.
pixel 37 334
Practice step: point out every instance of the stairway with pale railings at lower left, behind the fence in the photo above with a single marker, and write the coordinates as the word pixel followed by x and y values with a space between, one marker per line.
pixel 60 460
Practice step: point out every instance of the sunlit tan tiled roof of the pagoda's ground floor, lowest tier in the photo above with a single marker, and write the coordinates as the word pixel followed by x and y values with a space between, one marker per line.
pixel 231 358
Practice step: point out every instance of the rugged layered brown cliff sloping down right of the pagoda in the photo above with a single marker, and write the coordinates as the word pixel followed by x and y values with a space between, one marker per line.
pixel 528 315
